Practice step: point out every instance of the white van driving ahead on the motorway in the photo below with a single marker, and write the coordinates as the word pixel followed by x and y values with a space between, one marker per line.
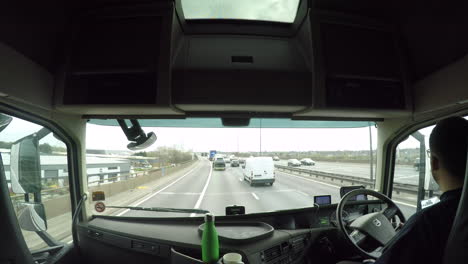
pixel 259 170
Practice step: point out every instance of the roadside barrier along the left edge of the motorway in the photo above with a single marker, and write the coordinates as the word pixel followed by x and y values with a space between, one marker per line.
pixel 57 200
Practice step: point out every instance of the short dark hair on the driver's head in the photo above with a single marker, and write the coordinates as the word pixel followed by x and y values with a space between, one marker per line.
pixel 448 142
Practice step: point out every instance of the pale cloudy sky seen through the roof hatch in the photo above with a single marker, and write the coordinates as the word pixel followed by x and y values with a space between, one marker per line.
pixel 267 10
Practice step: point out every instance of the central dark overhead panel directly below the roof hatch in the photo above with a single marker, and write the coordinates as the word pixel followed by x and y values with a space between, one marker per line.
pixel 240 70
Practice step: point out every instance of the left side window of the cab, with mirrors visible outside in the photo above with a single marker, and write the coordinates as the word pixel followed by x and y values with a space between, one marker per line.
pixel 36 170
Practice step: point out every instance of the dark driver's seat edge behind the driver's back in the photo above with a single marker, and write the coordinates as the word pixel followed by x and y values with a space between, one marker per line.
pixel 457 243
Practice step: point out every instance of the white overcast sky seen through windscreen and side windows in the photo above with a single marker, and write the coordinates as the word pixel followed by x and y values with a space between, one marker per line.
pixel 222 139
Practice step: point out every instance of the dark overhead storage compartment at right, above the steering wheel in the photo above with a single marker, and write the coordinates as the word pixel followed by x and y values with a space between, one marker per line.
pixel 358 67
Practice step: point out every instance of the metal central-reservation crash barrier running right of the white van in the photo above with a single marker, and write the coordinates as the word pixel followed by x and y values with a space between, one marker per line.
pixel 353 180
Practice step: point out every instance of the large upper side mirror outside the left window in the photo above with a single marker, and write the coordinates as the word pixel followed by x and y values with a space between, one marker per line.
pixel 25 168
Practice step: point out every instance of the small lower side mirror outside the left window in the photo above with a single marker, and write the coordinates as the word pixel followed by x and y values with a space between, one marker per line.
pixel 31 217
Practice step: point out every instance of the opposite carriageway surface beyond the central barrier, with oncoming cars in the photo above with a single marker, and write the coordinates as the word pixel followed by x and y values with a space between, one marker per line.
pixel 403 173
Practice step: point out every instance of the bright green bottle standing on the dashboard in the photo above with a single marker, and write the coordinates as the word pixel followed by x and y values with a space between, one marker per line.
pixel 210 242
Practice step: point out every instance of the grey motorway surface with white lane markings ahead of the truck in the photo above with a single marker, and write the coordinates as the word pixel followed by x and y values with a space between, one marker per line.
pixel 204 188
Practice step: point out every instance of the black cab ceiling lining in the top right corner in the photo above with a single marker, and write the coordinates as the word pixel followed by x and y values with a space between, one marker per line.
pixel 434 32
